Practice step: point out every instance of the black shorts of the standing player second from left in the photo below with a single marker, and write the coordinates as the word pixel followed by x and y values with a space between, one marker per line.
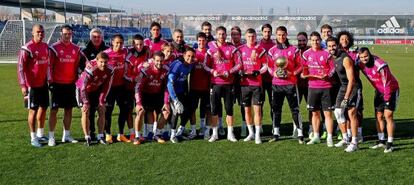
pixel 63 95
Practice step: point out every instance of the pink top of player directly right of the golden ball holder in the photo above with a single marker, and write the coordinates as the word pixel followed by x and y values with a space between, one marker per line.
pixel 318 63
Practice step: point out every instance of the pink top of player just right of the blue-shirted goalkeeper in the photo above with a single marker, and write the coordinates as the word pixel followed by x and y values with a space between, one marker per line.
pixel 200 78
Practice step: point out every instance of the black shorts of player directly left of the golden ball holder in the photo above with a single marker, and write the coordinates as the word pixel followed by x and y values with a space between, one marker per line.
pixel 252 95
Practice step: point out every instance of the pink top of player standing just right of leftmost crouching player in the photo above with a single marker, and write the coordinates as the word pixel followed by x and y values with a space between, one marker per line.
pixel 117 62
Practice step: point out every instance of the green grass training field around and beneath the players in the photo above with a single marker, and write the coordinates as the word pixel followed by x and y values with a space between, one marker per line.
pixel 200 162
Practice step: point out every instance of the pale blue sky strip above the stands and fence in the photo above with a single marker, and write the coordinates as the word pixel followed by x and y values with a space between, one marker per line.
pixel 251 7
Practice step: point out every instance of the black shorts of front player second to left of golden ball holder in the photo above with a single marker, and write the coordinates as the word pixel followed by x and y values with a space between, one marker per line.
pixel 221 91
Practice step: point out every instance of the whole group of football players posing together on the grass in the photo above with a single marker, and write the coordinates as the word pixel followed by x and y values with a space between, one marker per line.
pixel 167 81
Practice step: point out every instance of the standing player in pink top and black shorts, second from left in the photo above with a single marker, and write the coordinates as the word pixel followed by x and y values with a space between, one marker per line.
pixel 64 66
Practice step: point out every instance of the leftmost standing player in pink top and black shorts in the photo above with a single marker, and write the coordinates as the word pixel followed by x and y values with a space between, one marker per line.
pixel 32 72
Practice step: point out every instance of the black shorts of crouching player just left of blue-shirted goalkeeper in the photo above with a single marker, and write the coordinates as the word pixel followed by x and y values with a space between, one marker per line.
pixel 153 102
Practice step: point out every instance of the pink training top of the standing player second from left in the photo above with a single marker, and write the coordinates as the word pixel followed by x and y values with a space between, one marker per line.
pixel 64 62
